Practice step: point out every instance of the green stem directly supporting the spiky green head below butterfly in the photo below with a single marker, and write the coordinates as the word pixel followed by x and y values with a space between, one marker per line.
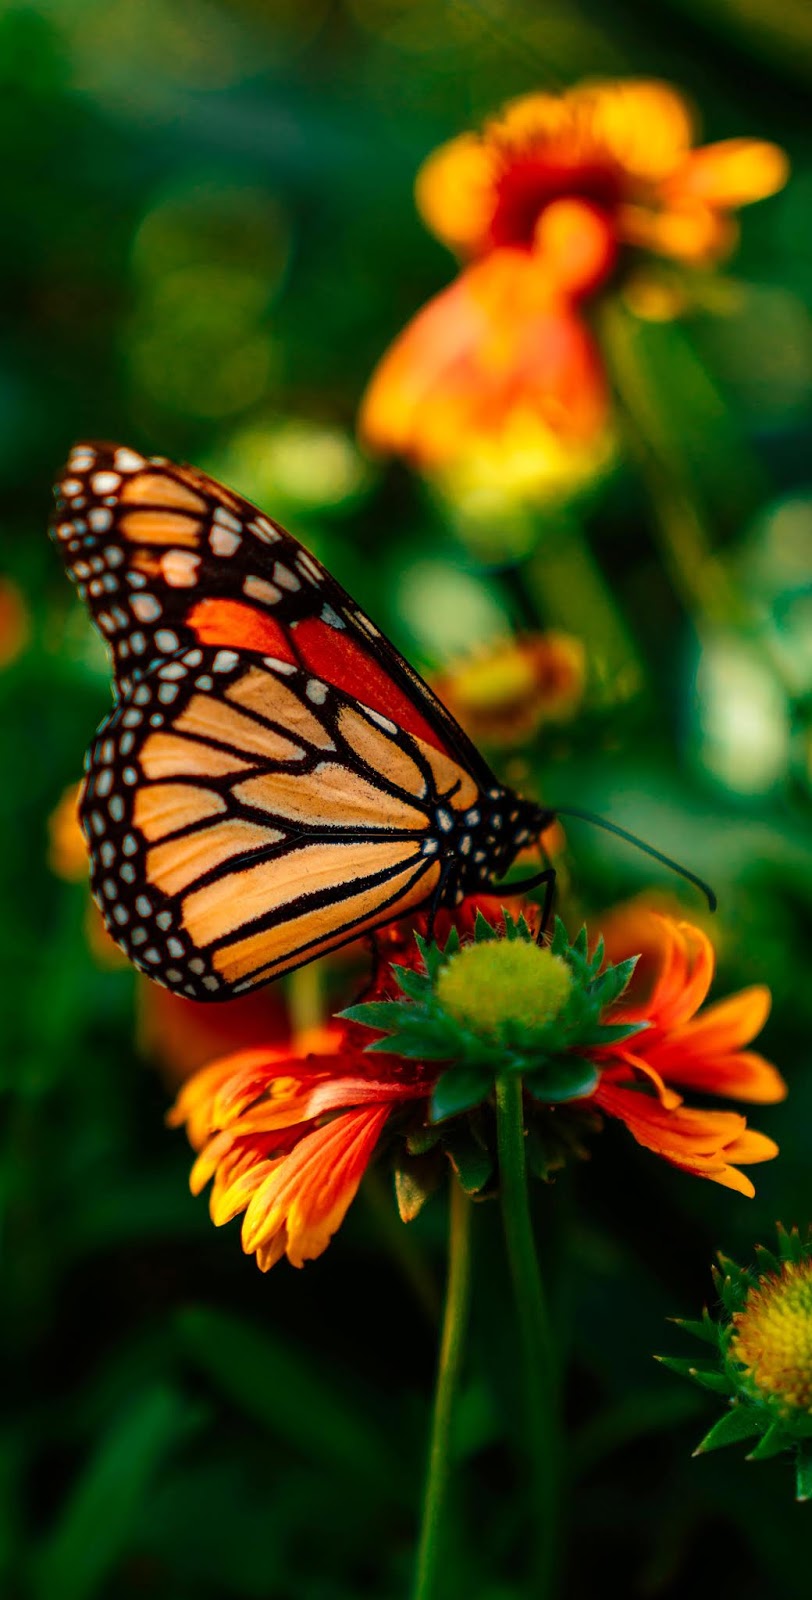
pixel 538 1346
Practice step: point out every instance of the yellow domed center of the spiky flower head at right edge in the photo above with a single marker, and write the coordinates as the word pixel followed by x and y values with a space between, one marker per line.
pixel 774 1337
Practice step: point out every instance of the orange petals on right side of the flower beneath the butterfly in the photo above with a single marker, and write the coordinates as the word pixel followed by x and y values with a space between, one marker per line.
pixel 677 1047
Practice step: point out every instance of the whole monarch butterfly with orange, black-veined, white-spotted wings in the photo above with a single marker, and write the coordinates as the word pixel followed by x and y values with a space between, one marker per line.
pixel 274 778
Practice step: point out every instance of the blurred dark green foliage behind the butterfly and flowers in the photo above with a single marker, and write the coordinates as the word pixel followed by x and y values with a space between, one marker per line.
pixel 209 239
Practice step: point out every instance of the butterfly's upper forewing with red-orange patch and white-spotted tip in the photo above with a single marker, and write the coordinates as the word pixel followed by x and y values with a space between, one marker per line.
pixel 165 558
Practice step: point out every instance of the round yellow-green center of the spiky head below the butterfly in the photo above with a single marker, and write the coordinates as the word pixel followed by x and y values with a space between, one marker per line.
pixel 495 985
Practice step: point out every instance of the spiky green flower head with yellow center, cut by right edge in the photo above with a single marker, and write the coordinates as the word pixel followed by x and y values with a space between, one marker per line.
pixel 762 1361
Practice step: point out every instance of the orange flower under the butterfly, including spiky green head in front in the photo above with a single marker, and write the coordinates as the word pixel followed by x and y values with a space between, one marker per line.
pixel 287 1132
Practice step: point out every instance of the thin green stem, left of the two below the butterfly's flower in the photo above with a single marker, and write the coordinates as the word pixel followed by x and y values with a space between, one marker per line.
pixel 429 1574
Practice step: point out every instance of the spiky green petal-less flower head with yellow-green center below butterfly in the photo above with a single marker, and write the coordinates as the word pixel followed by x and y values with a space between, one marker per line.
pixel 503 1006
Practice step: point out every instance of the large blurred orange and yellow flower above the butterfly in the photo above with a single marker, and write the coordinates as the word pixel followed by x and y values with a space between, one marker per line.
pixel 555 201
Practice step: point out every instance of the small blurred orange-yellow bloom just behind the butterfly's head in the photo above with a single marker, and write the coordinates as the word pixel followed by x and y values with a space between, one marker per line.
pixel 504 694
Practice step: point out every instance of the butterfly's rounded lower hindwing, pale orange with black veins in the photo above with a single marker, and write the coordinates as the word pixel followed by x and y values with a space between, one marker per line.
pixel 239 828
